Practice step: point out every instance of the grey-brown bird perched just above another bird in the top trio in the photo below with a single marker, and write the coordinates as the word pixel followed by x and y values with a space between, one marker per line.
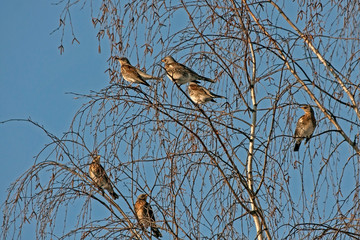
pixel 180 73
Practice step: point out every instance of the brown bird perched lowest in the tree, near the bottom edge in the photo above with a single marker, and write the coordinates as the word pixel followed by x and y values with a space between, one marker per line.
pixel 145 214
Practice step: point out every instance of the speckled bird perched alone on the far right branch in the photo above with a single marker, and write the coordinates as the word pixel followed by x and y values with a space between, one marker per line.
pixel 305 126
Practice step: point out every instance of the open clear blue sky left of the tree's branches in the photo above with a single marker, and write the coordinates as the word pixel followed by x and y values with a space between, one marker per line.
pixel 34 79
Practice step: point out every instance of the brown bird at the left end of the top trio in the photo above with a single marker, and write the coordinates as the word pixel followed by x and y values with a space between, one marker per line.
pixel 133 74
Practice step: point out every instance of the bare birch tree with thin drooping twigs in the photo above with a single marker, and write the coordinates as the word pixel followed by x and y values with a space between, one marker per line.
pixel 225 170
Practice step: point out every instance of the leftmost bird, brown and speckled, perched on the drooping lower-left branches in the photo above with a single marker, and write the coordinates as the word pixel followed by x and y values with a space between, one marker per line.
pixel 99 176
